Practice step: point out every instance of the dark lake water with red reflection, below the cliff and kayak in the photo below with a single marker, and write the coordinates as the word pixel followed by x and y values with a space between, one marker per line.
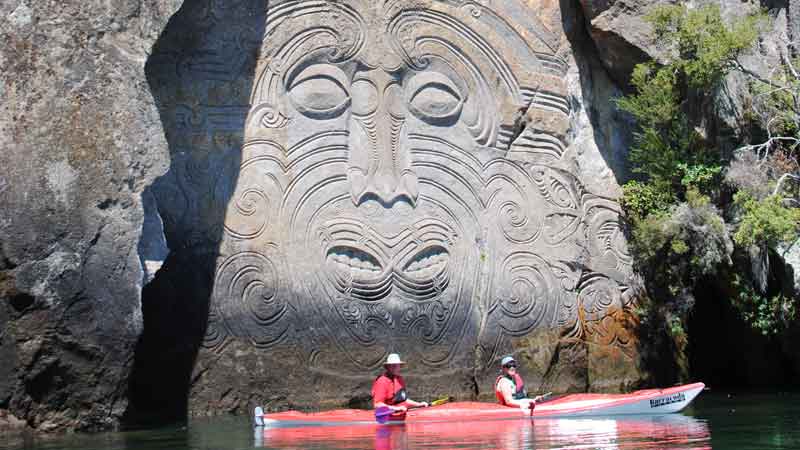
pixel 716 420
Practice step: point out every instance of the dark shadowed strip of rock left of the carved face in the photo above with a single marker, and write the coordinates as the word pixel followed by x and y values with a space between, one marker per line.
pixel 201 75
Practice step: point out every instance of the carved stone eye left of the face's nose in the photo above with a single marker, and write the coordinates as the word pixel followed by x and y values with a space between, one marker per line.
pixel 319 92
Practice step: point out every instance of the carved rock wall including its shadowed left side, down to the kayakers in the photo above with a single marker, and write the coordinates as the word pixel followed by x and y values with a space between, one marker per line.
pixel 357 178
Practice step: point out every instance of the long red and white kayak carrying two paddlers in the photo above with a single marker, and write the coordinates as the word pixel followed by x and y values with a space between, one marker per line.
pixel 649 401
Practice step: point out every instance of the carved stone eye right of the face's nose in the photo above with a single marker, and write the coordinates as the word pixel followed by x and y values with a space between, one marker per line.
pixel 434 99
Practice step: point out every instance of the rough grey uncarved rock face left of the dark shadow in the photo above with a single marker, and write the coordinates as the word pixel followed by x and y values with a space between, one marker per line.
pixel 80 138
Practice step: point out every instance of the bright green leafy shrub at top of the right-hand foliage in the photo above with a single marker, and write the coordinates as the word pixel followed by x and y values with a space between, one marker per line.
pixel 667 148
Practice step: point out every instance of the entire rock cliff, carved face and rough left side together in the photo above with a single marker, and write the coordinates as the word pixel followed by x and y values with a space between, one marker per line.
pixel 217 206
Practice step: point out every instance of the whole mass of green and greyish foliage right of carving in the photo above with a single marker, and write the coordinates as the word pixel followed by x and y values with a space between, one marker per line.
pixel 678 207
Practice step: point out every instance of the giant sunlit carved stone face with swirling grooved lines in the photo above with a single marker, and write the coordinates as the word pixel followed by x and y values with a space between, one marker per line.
pixel 388 198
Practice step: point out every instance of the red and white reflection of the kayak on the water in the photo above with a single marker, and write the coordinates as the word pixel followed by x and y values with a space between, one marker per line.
pixel 670 431
